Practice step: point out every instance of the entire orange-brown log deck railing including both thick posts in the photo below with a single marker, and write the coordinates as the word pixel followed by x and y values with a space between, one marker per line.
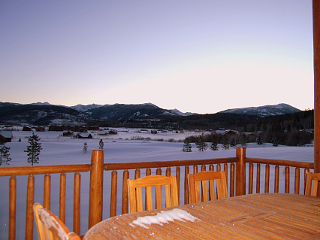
pixel 238 169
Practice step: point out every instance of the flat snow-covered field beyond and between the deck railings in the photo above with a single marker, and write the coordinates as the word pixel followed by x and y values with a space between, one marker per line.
pixel 122 147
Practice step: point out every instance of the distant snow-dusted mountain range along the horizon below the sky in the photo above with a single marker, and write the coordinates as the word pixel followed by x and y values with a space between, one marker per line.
pixel 47 114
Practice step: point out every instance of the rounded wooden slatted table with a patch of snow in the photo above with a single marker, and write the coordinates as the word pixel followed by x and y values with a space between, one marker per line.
pixel 257 216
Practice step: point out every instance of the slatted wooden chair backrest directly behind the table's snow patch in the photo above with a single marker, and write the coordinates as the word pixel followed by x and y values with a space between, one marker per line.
pixel 135 192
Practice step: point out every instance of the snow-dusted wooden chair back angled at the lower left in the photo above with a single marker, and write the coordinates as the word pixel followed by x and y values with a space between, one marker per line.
pixel 49 226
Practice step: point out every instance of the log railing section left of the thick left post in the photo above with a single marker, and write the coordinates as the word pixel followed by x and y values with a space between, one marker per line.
pixel 47 171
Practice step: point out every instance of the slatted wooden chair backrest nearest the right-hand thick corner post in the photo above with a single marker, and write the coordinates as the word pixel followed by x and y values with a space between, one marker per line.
pixel 195 180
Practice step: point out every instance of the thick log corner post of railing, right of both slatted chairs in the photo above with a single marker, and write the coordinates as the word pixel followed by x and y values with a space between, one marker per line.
pixel 241 172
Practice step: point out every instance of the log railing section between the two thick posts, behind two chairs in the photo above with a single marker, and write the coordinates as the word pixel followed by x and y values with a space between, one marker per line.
pixel 167 168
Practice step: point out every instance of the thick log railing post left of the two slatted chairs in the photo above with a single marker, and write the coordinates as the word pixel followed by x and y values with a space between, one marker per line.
pixel 96 187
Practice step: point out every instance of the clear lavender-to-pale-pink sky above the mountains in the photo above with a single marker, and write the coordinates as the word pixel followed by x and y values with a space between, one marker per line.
pixel 199 56
